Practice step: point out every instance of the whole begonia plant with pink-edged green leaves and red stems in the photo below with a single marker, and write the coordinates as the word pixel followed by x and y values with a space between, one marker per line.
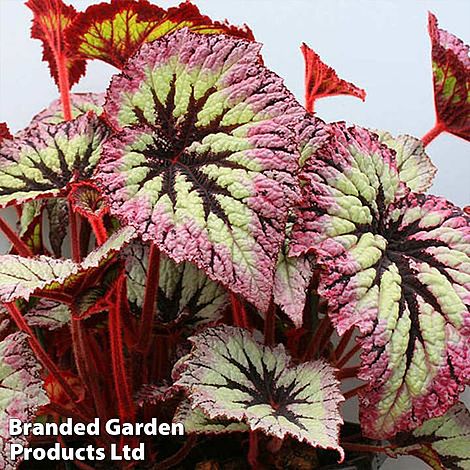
pixel 195 245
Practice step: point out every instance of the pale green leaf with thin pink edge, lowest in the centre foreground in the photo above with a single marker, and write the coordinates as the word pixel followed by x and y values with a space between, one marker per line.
pixel 230 374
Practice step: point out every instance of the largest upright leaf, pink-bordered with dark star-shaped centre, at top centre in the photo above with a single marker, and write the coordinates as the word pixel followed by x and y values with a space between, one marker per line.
pixel 204 166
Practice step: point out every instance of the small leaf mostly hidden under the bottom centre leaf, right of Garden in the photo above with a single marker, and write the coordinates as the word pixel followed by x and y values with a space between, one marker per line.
pixel 196 422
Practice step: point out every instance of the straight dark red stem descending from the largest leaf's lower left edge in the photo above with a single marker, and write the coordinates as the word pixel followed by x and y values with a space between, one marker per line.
pixel 149 306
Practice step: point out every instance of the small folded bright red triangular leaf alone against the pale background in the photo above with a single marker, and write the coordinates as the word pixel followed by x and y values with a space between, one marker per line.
pixel 321 80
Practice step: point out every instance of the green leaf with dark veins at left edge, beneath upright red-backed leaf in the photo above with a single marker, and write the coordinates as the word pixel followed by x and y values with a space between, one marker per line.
pixel 45 159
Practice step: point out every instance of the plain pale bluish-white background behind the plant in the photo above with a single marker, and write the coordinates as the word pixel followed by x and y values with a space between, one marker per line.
pixel 381 46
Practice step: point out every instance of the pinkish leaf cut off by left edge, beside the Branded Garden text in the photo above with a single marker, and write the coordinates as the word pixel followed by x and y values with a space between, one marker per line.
pixel 21 391
